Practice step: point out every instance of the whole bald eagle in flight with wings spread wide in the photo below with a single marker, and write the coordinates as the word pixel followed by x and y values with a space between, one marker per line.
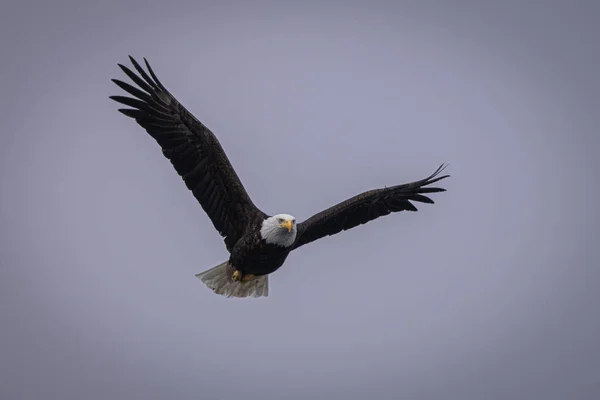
pixel 258 243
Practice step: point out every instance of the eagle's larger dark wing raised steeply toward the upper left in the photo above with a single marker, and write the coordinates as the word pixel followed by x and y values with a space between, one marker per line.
pixel 193 150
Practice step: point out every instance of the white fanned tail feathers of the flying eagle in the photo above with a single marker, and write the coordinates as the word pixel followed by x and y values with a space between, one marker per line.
pixel 219 280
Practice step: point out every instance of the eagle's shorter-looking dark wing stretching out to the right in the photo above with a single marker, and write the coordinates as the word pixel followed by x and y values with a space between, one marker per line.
pixel 366 207
